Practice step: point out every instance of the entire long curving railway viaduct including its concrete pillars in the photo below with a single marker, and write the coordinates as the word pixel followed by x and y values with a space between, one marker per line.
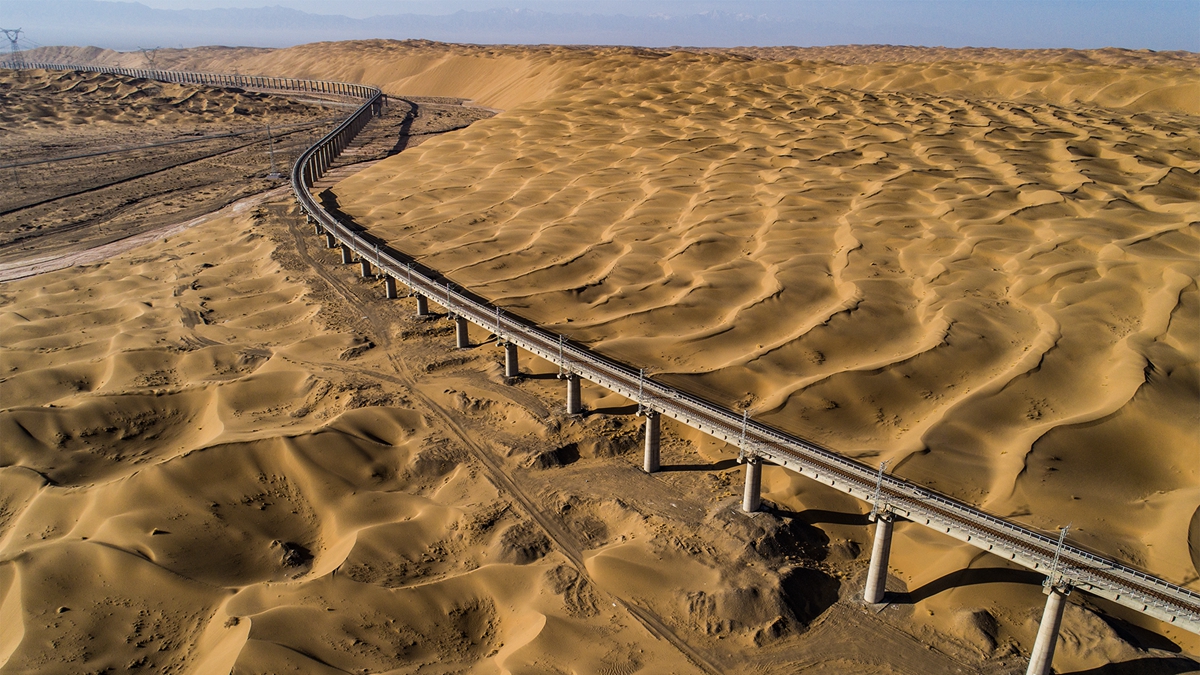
pixel 1067 568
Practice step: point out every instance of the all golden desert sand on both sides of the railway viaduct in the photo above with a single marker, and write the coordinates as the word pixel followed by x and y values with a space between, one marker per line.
pixel 980 266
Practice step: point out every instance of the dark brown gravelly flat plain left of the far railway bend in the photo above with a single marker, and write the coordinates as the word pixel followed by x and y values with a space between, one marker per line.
pixel 103 158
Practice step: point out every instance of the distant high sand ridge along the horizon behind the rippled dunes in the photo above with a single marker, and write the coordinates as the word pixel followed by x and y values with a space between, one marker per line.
pixel 505 77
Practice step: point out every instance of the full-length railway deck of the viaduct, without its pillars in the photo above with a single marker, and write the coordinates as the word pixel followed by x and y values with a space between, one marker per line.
pixel 1084 570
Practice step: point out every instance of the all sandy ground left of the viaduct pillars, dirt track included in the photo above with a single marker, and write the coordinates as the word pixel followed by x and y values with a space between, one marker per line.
pixel 224 451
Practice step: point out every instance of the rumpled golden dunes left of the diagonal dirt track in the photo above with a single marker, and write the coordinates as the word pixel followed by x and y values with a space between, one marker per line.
pixel 191 455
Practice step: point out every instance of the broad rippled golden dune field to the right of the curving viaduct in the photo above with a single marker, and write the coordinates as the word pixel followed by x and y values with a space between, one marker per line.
pixel 1000 298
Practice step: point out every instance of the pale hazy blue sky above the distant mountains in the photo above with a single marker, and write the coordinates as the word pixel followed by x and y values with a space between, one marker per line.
pixel 1153 25
